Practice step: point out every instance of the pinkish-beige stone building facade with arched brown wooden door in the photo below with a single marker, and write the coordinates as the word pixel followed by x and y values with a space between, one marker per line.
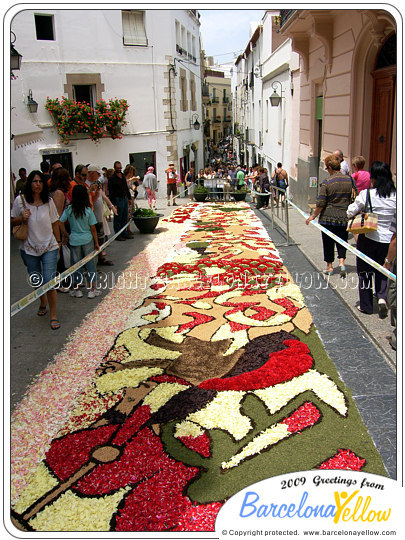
pixel 347 89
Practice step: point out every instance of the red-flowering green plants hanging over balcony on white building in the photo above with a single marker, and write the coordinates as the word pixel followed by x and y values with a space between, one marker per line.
pixel 71 117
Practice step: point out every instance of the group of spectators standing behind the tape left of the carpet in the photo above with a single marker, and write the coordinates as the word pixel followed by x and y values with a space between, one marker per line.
pixel 66 219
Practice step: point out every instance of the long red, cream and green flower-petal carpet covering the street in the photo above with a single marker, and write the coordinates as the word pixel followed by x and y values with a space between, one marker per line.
pixel 173 396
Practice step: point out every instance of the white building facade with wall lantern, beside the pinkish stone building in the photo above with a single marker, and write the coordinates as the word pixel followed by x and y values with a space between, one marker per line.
pixel 267 134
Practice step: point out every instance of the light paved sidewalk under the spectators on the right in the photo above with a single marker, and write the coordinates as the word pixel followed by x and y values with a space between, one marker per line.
pixel 309 241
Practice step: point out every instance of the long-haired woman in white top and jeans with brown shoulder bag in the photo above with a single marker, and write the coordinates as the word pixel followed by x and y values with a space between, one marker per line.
pixel 40 250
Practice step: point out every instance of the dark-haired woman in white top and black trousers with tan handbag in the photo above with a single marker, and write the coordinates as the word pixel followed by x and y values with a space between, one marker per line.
pixel 382 197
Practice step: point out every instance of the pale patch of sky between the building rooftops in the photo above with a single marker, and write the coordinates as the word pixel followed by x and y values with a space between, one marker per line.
pixel 226 31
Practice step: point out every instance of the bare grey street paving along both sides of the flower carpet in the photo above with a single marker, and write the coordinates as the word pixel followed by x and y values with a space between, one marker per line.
pixel 365 363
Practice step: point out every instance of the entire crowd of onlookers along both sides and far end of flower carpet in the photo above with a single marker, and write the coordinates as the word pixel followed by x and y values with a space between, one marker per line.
pixel 70 218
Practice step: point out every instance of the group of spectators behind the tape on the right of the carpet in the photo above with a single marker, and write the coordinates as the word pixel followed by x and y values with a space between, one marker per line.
pixel 343 196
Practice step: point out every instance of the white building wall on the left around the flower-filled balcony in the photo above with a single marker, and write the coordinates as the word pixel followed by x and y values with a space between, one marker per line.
pixel 105 54
